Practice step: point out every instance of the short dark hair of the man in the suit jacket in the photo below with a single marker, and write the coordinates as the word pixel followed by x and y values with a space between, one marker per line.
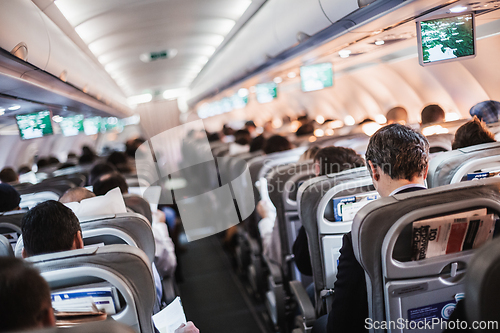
pixel 399 151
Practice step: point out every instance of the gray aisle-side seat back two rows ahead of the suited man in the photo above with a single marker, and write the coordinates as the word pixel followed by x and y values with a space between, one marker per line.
pixel 283 183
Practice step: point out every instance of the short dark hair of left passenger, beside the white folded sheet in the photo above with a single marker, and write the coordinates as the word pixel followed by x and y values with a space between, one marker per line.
pixel 49 227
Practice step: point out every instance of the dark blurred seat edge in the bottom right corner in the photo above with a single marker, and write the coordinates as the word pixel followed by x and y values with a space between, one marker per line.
pixel 481 286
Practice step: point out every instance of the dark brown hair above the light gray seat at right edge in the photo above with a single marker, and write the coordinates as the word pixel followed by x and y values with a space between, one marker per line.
pixel 473 132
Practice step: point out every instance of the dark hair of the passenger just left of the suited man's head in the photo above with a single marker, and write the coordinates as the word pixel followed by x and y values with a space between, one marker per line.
pixel 337 159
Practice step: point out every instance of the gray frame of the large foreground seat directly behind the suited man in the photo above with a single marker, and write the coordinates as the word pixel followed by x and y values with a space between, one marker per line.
pixel 396 213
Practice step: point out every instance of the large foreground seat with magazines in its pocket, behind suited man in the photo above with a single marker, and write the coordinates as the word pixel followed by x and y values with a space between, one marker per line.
pixel 382 235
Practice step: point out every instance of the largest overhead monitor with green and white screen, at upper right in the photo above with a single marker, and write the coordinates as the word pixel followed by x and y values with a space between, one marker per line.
pixel 446 39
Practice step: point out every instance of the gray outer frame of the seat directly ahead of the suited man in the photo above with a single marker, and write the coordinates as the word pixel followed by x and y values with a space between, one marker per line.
pixel 310 195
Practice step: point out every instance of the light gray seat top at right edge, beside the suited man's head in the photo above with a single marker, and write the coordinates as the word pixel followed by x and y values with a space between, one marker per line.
pixel 463 164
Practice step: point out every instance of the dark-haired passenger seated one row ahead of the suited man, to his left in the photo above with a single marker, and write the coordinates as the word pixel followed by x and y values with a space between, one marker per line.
pixel 326 161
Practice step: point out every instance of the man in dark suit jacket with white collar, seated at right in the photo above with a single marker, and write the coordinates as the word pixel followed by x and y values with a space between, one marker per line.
pixel 397 158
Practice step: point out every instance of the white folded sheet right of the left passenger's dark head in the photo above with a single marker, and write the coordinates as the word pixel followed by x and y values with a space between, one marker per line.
pixel 111 203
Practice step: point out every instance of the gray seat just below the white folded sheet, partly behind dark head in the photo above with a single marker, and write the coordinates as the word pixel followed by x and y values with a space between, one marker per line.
pixel 124 228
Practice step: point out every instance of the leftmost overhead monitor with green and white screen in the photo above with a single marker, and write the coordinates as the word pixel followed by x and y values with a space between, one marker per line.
pixel 34 125
